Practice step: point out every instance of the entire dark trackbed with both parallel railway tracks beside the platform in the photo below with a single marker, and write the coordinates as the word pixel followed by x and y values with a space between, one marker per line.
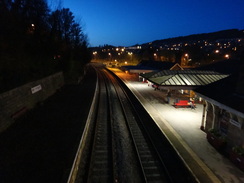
pixel 123 144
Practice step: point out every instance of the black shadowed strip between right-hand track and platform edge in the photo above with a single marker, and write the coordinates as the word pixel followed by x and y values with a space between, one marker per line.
pixel 175 167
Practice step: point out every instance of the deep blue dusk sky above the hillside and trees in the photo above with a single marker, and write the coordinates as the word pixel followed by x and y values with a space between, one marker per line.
pixel 130 22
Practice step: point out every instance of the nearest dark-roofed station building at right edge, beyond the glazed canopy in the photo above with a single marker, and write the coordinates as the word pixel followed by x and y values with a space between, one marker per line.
pixel 224 103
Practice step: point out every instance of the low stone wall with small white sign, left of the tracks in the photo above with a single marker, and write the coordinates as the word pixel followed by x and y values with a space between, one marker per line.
pixel 17 101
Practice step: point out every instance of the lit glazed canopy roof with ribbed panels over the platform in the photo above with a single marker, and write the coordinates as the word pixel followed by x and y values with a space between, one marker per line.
pixel 183 78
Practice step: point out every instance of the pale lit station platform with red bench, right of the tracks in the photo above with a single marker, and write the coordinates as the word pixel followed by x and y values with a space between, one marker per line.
pixel 182 128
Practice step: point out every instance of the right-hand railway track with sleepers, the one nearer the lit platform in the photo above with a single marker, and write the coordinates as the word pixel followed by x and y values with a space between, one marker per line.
pixel 151 163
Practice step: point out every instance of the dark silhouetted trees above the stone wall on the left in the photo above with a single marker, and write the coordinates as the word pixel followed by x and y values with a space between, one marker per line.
pixel 36 42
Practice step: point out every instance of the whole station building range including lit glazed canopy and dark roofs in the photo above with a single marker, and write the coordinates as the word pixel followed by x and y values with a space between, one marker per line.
pixel 219 88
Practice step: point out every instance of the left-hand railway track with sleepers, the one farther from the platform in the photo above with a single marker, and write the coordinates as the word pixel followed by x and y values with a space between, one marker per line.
pixel 101 161
